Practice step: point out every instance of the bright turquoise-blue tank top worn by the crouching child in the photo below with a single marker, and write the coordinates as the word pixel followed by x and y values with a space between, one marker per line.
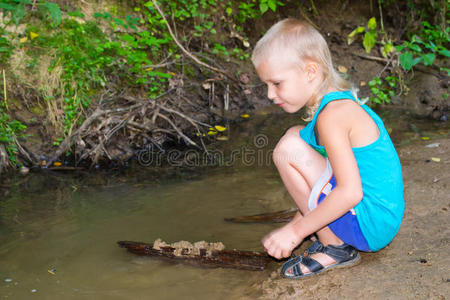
pixel 380 212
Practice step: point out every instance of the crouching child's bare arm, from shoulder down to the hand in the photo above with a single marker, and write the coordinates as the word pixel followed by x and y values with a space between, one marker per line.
pixel 334 126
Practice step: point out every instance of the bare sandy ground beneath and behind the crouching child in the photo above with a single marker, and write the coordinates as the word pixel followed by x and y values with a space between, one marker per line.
pixel 415 265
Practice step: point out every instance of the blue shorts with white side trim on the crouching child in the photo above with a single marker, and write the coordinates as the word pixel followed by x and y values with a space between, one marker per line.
pixel 346 227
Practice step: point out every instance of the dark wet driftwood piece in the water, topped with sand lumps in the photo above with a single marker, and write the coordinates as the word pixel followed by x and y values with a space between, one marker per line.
pixel 244 260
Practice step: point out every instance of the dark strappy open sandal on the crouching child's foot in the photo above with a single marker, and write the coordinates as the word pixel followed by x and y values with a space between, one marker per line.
pixel 344 255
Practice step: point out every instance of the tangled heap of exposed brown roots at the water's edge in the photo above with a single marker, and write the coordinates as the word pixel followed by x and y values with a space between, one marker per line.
pixel 130 127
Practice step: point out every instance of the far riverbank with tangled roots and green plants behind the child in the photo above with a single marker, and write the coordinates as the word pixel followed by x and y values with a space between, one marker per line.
pixel 144 91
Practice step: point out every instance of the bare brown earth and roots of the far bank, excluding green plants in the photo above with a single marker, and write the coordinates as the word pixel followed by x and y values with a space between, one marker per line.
pixel 123 120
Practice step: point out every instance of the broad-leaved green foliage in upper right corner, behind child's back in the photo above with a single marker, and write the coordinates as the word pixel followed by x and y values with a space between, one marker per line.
pixel 426 44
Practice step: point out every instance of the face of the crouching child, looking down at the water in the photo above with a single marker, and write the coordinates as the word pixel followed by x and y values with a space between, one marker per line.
pixel 289 86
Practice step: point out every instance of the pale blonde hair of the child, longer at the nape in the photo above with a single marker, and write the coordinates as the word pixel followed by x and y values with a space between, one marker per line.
pixel 304 43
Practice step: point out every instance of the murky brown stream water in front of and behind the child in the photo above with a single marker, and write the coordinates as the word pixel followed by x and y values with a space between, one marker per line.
pixel 58 230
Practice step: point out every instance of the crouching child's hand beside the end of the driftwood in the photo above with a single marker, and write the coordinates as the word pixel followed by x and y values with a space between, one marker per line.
pixel 280 242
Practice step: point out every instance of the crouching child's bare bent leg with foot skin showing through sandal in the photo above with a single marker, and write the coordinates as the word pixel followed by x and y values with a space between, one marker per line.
pixel 300 166
